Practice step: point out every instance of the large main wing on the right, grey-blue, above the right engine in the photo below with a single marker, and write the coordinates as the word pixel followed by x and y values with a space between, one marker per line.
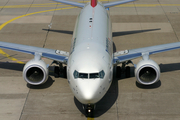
pixel 126 55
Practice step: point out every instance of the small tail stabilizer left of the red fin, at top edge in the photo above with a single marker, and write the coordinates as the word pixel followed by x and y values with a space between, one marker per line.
pixel 81 5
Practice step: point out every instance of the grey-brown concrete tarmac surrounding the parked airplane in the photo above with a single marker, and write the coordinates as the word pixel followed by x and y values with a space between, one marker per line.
pixel 138 24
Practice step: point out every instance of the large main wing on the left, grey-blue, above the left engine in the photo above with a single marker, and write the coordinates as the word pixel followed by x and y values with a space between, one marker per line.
pixel 56 55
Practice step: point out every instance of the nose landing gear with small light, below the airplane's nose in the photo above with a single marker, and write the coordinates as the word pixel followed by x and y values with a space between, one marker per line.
pixel 89 109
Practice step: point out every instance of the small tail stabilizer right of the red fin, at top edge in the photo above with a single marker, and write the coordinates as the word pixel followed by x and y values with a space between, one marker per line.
pixel 107 5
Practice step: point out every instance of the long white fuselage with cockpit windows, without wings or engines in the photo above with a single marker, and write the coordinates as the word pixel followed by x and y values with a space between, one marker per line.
pixel 90 64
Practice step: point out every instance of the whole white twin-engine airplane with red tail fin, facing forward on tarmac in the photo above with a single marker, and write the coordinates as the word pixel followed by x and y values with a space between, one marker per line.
pixel 89 64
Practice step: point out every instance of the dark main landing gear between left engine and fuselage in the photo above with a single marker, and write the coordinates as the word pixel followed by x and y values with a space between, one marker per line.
pixel 60 71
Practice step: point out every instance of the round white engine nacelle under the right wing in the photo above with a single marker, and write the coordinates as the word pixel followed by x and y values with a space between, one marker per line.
pixel 147 72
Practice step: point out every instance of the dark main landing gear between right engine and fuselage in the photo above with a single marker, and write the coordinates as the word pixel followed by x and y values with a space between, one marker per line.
pixel 123 70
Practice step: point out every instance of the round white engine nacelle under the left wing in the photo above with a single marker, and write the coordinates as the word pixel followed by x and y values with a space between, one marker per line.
pixel 35 72
